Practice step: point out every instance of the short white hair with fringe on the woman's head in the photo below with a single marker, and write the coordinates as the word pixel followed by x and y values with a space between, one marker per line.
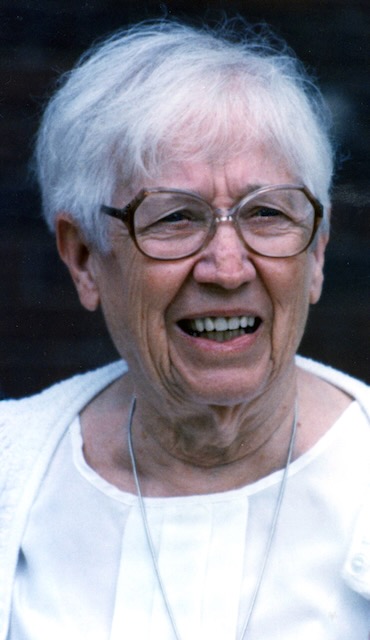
pixel 163 92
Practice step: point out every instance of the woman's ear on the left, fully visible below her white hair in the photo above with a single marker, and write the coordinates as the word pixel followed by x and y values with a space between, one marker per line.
pixel 79 258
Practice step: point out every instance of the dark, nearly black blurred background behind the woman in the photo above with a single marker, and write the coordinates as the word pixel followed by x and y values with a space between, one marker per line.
pixel 45 335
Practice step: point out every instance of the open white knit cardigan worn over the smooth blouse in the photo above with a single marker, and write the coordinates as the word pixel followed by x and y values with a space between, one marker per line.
pixel 30 430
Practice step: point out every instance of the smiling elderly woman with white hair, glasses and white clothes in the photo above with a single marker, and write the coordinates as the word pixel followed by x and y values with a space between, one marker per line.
pixel 216 485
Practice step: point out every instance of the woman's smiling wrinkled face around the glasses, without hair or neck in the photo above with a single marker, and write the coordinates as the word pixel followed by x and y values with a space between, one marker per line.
pixel 219 327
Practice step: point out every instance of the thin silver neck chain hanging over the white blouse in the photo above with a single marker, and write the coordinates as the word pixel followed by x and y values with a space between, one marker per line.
pixel 273 526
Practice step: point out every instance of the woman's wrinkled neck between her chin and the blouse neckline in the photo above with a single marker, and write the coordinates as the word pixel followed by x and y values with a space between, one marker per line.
pixel 227 446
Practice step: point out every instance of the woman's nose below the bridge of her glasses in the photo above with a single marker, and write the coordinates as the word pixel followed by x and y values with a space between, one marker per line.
pixel 225 260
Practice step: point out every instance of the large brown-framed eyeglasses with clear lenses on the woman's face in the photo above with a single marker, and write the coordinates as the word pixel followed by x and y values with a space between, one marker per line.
pixel 277 221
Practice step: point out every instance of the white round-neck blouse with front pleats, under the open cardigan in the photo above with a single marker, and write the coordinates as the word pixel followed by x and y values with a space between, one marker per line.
pixel 85 571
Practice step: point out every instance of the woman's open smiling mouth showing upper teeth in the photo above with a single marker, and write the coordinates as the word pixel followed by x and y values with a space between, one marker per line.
pixel 220 328
